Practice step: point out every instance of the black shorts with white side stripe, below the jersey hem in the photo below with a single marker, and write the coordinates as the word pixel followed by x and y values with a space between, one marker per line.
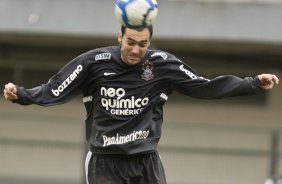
pixel 124 169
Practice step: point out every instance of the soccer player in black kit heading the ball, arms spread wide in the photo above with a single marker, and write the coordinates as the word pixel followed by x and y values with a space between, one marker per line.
pixel 124 89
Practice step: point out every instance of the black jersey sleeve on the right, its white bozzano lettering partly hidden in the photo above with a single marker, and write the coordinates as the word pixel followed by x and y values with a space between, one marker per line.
pixel 186 81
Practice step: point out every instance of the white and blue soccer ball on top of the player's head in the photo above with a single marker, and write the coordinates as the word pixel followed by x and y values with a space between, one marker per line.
pixel 136 13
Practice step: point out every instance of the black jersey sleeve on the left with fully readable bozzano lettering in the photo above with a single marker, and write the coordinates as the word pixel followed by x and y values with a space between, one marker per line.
pixel 62 87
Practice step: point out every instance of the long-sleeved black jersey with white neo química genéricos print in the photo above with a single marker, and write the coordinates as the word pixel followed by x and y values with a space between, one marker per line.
pixel 124 104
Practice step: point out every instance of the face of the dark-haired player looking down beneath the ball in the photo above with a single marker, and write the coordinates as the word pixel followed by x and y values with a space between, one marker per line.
pixel 134 45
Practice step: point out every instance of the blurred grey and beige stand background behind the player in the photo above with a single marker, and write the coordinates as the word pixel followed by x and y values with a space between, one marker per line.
pixel 230 141
